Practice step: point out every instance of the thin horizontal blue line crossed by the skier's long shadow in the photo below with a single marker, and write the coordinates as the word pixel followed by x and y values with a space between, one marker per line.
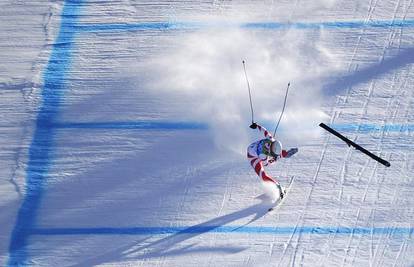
pixel 223 229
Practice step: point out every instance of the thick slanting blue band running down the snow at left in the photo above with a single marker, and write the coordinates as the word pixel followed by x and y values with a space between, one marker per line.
pixel 41 146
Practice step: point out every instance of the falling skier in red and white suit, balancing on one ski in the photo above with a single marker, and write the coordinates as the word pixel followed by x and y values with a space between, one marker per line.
pixel 264 152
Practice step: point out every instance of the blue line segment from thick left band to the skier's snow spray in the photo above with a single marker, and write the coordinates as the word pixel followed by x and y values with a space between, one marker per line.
pixel 138 125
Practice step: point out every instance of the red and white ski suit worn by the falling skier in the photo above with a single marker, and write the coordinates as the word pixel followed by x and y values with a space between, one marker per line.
pixel 258 160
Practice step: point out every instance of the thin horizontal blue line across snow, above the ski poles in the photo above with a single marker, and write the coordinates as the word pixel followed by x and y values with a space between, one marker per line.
pixel 249 25
